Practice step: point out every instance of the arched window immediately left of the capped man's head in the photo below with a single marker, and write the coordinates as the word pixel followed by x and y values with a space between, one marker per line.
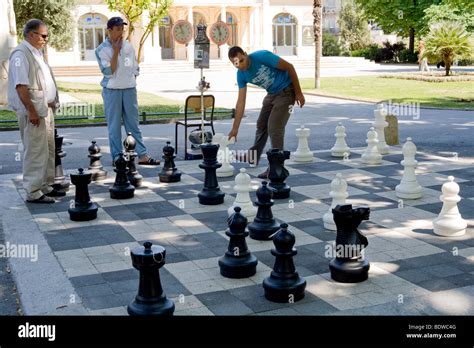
pixel 91 33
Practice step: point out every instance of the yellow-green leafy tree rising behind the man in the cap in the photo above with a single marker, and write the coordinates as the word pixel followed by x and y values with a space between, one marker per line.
pixel 133 11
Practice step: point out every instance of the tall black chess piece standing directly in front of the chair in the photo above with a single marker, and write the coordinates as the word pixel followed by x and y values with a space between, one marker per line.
pixel 211 194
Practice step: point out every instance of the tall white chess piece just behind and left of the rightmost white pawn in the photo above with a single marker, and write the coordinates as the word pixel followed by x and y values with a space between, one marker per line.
pixel 409 187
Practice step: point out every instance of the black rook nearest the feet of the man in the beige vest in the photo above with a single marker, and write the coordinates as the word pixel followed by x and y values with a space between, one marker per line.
pixel 84 209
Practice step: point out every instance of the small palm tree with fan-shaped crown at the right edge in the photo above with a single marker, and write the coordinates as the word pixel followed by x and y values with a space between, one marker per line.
pixel 447 41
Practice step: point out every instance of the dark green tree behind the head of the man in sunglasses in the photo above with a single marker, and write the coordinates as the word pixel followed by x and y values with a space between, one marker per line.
pixel 55 14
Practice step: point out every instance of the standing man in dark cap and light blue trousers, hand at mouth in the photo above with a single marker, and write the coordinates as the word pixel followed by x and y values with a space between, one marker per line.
pixel 118 63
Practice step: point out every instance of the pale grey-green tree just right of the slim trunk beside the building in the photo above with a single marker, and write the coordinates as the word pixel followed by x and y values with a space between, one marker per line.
pixel 354 32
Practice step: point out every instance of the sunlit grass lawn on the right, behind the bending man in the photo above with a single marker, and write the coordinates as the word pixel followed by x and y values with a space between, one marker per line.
pixel 456 95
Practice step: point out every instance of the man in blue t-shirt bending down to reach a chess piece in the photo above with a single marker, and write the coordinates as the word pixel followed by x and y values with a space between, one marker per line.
pixel 278 77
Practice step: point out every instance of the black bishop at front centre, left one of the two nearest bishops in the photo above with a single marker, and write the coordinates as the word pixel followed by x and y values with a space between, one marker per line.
pixel 237 262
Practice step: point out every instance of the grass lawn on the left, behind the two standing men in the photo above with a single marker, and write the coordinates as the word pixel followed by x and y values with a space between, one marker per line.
pixel 92 94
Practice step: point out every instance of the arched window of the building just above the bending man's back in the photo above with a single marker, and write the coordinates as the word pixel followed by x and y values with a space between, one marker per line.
pixel 284 34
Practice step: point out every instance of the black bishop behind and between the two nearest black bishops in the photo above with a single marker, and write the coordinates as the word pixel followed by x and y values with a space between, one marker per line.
pixel 264 225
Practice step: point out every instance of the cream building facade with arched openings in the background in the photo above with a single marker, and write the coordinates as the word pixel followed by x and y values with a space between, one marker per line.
pixel 284 27
